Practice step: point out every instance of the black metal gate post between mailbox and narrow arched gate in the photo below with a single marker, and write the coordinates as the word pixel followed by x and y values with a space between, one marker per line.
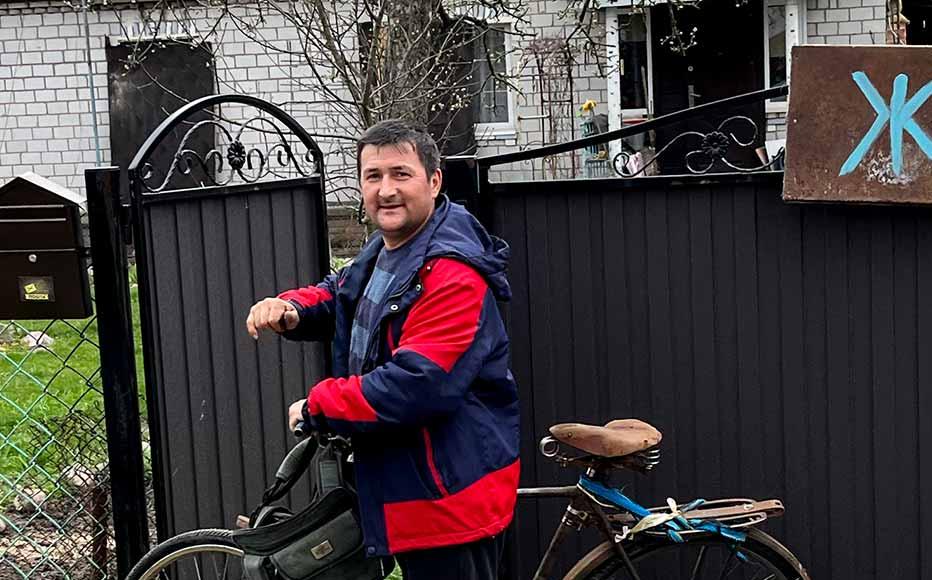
pixel 118 367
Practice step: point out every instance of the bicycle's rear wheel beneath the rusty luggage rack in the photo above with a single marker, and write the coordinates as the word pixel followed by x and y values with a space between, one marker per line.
pixel 705 557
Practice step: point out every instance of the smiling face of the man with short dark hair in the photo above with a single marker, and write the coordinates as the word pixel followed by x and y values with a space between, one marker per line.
pixel 396 190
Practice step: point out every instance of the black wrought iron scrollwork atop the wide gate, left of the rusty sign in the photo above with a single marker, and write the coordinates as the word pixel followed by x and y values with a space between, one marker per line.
pixel 713 148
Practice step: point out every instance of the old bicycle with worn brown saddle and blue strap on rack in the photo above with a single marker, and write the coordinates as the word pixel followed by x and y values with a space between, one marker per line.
pixel 697 540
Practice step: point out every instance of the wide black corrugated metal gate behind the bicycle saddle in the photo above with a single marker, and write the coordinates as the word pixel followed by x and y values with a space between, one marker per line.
pixel 781 348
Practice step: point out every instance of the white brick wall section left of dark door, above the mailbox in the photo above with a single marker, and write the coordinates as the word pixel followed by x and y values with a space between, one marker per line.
pixel 45 120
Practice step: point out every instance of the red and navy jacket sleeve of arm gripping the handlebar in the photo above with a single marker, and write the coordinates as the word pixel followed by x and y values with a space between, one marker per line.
pixel 437 358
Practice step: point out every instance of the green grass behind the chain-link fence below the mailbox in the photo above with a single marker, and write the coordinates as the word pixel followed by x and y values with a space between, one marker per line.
pixel 51 401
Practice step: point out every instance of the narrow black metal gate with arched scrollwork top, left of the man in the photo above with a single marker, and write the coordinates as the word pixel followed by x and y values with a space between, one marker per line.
pixel 253 222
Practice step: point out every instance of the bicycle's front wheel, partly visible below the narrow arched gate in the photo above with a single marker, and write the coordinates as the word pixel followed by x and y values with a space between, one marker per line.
pixel 196 555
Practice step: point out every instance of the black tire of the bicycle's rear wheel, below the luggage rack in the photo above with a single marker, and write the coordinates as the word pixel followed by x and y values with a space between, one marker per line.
pixel 603 562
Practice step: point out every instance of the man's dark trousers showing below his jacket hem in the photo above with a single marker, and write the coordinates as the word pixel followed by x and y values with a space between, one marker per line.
pixel 475 561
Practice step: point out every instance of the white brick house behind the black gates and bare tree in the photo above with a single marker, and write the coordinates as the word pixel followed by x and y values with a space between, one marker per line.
pixel 47 124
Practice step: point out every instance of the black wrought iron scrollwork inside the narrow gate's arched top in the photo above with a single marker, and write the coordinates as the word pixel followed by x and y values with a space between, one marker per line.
pixel 272 156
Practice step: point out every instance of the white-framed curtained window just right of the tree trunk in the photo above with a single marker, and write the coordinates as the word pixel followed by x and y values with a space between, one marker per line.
pixel 493 100
